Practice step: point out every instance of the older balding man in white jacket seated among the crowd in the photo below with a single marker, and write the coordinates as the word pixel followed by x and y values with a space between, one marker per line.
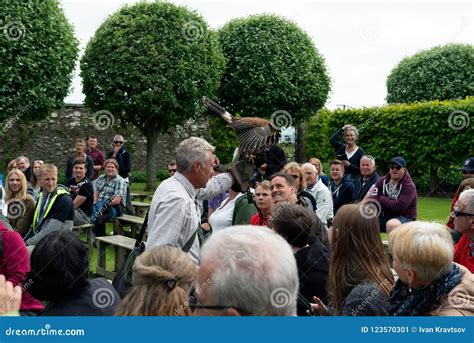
pixel 320 192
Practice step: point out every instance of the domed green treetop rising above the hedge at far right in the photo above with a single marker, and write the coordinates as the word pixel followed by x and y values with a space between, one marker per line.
pixel 441 73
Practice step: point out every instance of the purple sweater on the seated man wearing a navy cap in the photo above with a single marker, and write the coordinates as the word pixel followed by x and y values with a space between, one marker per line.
pixel 404 204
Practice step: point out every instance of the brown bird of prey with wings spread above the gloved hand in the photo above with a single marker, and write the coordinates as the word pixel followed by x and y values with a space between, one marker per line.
pixel 252 133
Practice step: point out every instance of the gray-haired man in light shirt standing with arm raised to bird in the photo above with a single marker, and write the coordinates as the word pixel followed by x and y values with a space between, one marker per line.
pixel 174 215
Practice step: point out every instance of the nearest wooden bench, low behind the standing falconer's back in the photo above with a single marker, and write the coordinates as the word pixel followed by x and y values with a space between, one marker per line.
pixel 122 247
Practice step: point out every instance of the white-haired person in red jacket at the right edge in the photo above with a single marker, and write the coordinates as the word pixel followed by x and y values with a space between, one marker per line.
pixel 463 214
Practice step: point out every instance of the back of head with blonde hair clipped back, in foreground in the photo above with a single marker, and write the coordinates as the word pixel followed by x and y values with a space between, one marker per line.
pixel 162 279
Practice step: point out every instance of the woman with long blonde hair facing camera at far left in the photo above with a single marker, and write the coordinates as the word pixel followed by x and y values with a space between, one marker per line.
pixel 20 204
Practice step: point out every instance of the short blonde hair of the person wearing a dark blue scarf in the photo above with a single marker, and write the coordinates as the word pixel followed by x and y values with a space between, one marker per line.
pixel 427 248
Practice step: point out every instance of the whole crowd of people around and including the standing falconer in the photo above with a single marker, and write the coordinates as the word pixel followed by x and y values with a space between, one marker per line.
pixel 298 242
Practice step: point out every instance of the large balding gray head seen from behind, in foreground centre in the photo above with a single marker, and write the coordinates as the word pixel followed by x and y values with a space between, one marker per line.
pixel 246 270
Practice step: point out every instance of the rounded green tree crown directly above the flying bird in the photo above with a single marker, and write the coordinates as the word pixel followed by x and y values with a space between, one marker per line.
pixel 272 65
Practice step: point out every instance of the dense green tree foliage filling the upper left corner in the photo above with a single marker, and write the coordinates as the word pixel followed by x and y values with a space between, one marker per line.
pixel 38 51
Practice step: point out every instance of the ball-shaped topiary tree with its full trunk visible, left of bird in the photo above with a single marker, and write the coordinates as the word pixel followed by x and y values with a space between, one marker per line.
pixel 149 65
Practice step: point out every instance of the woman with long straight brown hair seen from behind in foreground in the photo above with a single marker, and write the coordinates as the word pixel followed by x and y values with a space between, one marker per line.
pixel 358 268
